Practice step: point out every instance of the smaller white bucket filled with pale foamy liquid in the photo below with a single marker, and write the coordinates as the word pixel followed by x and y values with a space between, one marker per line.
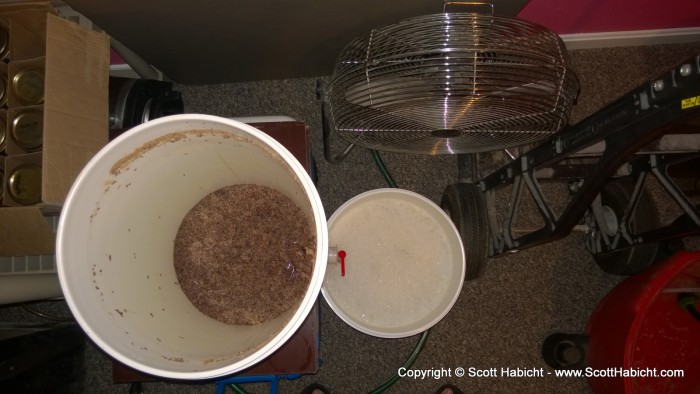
pixel 404 263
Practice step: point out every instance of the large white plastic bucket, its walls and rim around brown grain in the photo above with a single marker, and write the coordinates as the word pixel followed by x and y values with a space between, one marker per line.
pixel 115 244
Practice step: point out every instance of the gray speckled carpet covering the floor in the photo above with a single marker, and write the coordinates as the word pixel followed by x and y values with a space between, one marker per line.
pixel 500 319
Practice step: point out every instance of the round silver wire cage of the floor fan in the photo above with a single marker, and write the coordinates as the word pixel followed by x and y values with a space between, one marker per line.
pixel 451 83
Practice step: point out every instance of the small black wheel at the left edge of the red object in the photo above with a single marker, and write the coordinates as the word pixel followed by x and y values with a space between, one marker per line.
pixel 566 351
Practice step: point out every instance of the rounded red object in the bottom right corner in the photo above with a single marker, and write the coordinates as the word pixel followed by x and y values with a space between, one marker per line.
pixel 640 326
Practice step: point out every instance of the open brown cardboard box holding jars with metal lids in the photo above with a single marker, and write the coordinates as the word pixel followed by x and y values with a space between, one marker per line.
pixel 76 106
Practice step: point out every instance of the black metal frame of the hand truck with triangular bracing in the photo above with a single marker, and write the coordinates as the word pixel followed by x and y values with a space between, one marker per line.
pixel 625 127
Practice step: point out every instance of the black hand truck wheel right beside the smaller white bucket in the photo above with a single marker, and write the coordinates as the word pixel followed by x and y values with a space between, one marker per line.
pixel 464 203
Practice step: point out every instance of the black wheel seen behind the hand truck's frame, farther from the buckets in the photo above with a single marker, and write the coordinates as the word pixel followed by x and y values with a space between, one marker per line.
pixel 633 260
